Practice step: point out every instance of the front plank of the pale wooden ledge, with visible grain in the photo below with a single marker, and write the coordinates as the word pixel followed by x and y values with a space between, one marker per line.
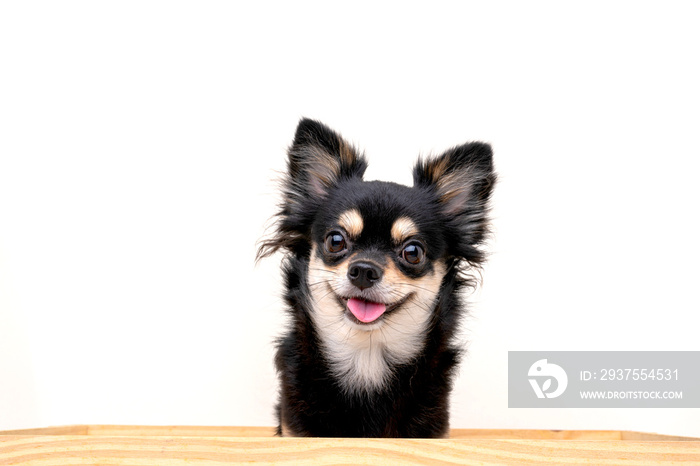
pixel 165 450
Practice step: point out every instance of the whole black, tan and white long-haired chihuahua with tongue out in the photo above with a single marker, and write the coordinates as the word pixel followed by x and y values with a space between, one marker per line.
pixel 373 272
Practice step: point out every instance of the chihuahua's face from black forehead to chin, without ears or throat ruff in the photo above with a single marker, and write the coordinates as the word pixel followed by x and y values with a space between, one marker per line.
pixel 373 254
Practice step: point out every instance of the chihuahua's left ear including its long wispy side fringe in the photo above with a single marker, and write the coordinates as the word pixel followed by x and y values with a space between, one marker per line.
pixel 318 160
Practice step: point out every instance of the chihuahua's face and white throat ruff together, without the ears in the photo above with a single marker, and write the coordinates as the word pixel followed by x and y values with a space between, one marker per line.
pixel 374 276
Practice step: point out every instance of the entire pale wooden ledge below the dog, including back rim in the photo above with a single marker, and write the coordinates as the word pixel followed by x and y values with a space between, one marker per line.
pixel 179 445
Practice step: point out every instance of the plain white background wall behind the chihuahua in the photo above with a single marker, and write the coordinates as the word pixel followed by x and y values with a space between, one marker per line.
pixel 140 143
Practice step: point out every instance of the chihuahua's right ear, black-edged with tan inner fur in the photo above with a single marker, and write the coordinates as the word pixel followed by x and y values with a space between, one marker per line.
pixel 462 180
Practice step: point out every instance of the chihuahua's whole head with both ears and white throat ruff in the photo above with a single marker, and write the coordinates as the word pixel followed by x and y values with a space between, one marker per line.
pixel 377 252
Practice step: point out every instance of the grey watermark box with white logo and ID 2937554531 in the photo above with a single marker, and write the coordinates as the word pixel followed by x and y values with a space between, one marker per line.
pixel 603 379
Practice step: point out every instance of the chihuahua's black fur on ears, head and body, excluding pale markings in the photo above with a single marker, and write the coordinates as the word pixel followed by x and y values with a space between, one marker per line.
pixel 449 204
